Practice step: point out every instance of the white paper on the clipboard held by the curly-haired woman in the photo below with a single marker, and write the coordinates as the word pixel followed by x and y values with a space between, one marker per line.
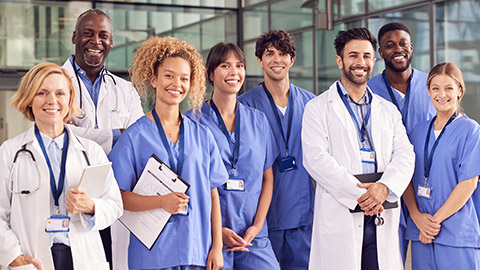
pixel 156 179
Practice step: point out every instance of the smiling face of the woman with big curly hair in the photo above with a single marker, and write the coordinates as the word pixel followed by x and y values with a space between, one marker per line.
pixel 172 81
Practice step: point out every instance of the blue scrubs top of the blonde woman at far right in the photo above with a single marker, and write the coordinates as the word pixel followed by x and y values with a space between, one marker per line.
pixel 457 158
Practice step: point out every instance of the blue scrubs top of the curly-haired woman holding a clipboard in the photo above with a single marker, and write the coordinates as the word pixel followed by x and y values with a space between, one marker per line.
pixel 186 240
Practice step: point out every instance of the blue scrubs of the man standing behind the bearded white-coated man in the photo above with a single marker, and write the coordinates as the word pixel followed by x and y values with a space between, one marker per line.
pixel 418 109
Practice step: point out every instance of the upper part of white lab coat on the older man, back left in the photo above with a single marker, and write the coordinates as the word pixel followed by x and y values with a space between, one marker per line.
pixel 110 115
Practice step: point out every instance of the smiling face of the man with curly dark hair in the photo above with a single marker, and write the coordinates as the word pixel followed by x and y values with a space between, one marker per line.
pixel 275 64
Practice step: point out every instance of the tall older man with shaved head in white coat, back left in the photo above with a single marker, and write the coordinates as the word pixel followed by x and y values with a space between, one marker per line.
pixel 108 104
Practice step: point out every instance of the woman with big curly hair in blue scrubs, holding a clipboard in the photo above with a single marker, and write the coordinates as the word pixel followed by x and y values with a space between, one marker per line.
pixel 167 70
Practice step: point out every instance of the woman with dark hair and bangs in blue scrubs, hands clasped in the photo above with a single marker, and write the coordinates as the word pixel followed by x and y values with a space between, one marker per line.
pixel 248 149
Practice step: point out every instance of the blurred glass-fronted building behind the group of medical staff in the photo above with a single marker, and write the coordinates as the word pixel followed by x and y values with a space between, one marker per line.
pixel 38 31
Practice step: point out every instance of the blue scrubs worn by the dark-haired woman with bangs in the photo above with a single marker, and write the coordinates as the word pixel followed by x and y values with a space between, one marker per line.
pixel 257 152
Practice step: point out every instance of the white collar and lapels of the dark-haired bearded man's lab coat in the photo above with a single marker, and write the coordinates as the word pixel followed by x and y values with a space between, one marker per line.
pixel 347 122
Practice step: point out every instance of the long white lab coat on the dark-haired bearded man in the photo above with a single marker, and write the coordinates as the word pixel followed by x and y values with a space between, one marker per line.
pixel 331 156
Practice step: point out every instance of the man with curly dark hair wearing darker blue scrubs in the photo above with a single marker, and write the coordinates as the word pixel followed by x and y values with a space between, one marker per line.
pixel 290 216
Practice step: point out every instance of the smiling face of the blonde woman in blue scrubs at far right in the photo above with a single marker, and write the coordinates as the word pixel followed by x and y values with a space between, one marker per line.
pixel 445 93
